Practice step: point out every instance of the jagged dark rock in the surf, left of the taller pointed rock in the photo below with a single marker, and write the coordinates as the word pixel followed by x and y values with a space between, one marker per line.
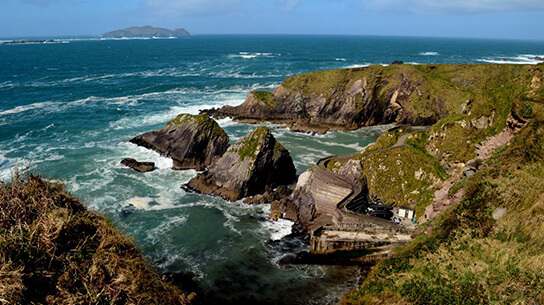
pixel 192 141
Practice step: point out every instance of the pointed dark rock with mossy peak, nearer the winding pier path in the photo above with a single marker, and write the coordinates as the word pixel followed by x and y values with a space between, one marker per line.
pixel 253 165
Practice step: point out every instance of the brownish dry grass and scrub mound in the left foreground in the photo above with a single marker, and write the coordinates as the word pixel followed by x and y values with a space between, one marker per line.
pixel 54 251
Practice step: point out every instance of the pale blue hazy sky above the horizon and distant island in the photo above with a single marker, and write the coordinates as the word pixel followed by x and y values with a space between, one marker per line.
pixel 504 19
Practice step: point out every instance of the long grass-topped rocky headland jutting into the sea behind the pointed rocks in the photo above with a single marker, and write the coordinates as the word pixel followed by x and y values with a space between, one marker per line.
pixel 352 98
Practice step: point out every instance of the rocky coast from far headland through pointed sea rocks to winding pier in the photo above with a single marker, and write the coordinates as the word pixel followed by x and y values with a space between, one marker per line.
pixel 434 107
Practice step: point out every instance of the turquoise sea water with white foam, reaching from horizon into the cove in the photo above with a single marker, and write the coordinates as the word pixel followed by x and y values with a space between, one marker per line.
pixel 67 110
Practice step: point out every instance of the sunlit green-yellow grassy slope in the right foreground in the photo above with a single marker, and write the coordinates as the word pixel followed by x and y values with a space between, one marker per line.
pixel 467 256
